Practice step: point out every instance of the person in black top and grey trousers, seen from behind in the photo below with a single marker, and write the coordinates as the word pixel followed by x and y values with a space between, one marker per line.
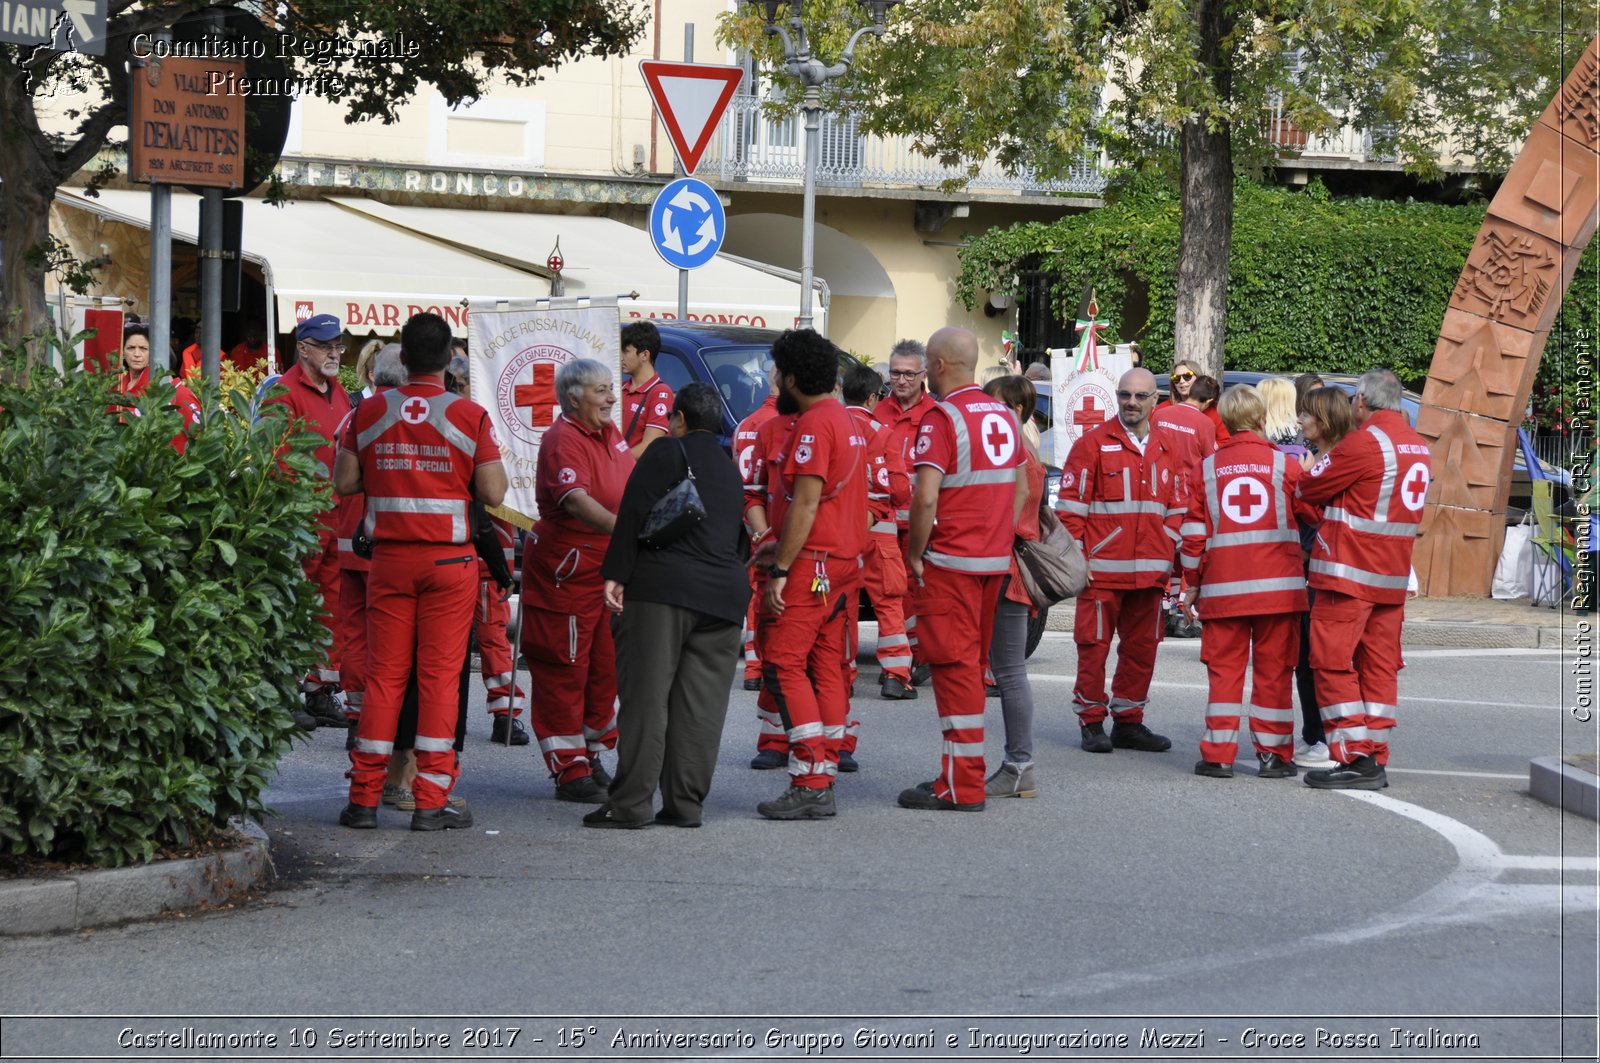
pixel 678 620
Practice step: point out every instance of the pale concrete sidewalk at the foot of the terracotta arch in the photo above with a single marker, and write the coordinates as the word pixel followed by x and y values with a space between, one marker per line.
pixel 1474 624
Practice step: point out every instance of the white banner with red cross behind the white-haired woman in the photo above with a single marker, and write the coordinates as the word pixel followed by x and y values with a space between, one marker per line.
pixel 516 350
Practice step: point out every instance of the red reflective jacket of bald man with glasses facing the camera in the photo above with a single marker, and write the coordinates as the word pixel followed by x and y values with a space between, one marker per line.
pixel 1126 508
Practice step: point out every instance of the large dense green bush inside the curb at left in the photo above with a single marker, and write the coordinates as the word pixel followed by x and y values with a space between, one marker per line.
pixel 154 620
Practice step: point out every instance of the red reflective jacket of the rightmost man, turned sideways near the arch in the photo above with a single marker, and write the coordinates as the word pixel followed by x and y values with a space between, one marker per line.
pixel 1372 487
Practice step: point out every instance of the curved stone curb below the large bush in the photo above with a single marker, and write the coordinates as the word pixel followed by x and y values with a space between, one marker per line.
pixel 94 899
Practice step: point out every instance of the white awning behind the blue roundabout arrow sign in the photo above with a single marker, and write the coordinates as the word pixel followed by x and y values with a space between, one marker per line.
pixel 607 259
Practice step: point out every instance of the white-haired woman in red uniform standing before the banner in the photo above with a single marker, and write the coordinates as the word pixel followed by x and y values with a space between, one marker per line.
pixel 567 635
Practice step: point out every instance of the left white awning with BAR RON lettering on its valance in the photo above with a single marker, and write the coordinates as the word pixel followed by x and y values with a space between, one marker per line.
pixel 321 259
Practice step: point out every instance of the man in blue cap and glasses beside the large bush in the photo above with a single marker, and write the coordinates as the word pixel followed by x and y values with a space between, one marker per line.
pixel 319 403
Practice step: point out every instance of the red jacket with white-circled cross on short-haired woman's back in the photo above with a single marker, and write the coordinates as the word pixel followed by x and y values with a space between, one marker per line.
pixel 1241 539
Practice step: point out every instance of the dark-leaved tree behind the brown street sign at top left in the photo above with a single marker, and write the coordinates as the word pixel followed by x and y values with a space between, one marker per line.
pixel 463 47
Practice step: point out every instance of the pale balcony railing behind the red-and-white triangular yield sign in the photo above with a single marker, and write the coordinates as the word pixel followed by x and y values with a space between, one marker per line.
pixel 751 146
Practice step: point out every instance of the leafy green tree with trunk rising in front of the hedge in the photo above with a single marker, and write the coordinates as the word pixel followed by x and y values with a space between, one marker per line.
pixel 1041 82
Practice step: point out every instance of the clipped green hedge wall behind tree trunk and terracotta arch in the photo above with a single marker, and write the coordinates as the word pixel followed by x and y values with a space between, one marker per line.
pixel 1314 283
